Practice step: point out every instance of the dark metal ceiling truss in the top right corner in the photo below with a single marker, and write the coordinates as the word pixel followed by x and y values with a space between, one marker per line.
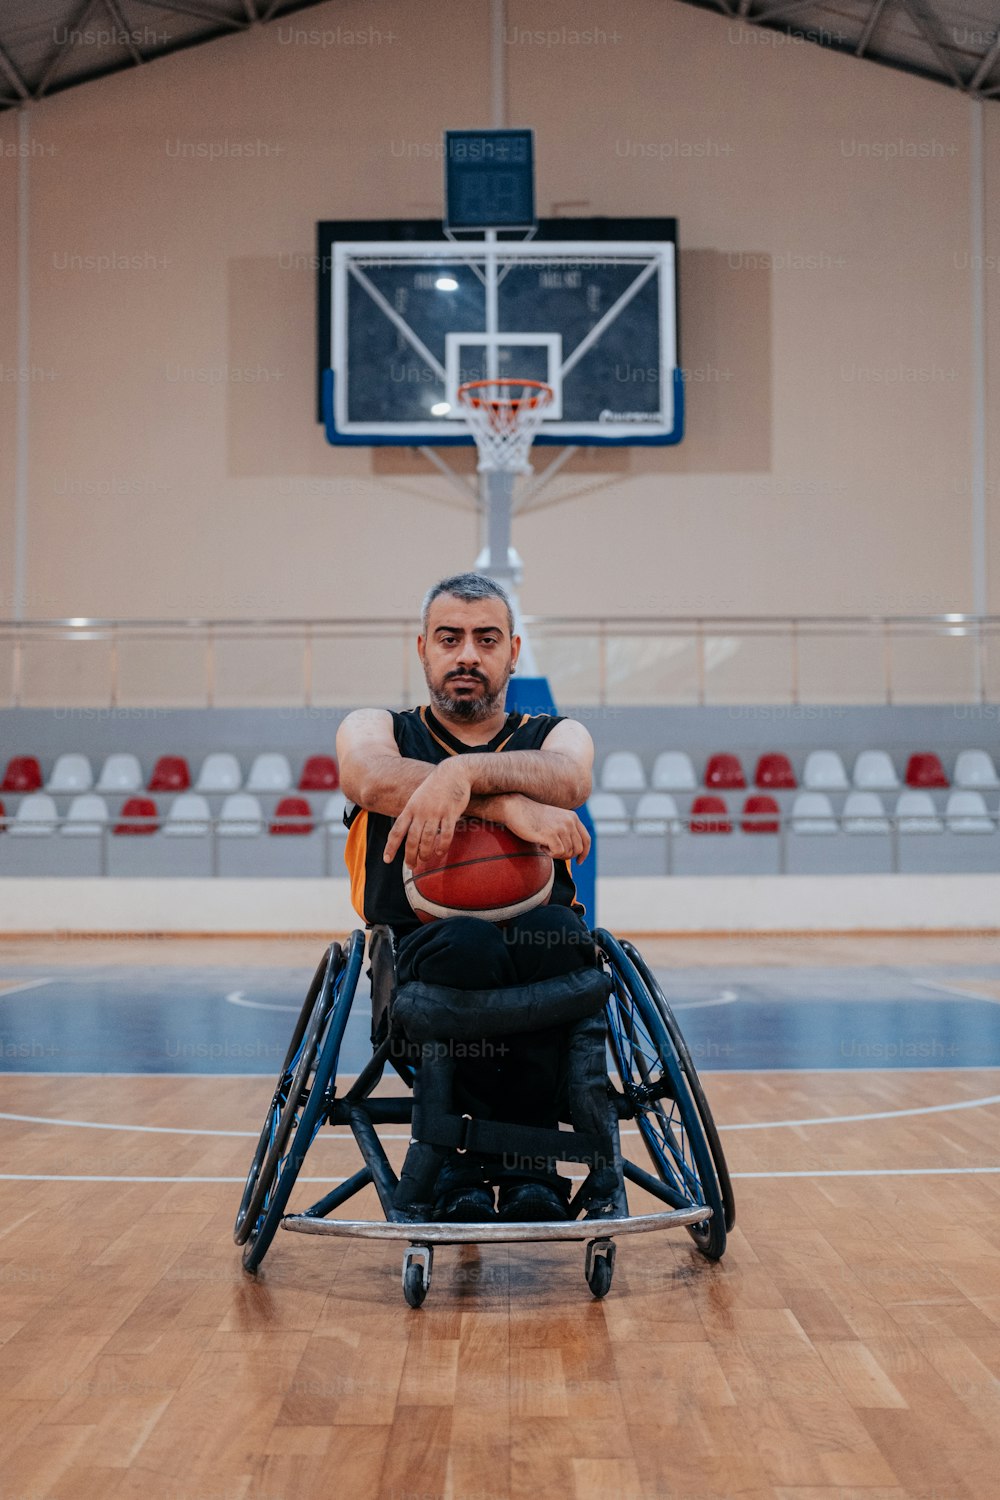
pixel 825 23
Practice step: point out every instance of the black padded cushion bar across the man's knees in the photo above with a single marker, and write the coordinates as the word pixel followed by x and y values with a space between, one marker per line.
pixel 439 1013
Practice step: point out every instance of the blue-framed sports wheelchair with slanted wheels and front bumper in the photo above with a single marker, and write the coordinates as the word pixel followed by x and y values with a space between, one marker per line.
pixel 647 1078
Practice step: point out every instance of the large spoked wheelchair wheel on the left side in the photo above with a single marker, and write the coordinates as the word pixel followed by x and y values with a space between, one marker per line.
pixel 302 1099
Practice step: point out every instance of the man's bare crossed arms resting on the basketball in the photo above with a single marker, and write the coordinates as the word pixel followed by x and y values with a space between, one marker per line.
pixel 533 793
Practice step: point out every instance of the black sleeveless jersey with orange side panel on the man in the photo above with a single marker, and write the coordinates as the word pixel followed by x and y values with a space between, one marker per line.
pixel 377 889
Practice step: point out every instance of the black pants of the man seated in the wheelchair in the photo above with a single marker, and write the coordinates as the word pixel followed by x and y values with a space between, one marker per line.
pixel 513 1079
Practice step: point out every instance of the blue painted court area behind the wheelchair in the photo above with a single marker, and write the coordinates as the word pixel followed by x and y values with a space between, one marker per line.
pixel 212 1021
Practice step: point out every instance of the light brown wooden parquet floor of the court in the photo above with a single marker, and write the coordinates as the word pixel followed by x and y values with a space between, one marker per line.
pixel 848 1345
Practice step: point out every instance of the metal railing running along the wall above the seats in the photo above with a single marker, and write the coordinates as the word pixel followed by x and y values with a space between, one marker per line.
pixel 600 661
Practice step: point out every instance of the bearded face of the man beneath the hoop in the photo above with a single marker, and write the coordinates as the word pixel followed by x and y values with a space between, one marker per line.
pixel 469 656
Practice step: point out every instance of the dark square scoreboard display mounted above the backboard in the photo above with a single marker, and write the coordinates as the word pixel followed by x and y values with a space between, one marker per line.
pixel 490 181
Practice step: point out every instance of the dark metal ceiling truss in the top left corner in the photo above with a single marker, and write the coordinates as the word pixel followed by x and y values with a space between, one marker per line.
pixel 127 47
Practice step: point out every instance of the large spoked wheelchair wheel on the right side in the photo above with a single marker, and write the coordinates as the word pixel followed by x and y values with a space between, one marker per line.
pixel 657 1096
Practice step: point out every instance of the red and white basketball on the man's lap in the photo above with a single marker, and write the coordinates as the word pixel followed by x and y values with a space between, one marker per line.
pixel 488 872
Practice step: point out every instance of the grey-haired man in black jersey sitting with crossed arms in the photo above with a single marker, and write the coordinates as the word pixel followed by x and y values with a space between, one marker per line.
pixel 412 776
